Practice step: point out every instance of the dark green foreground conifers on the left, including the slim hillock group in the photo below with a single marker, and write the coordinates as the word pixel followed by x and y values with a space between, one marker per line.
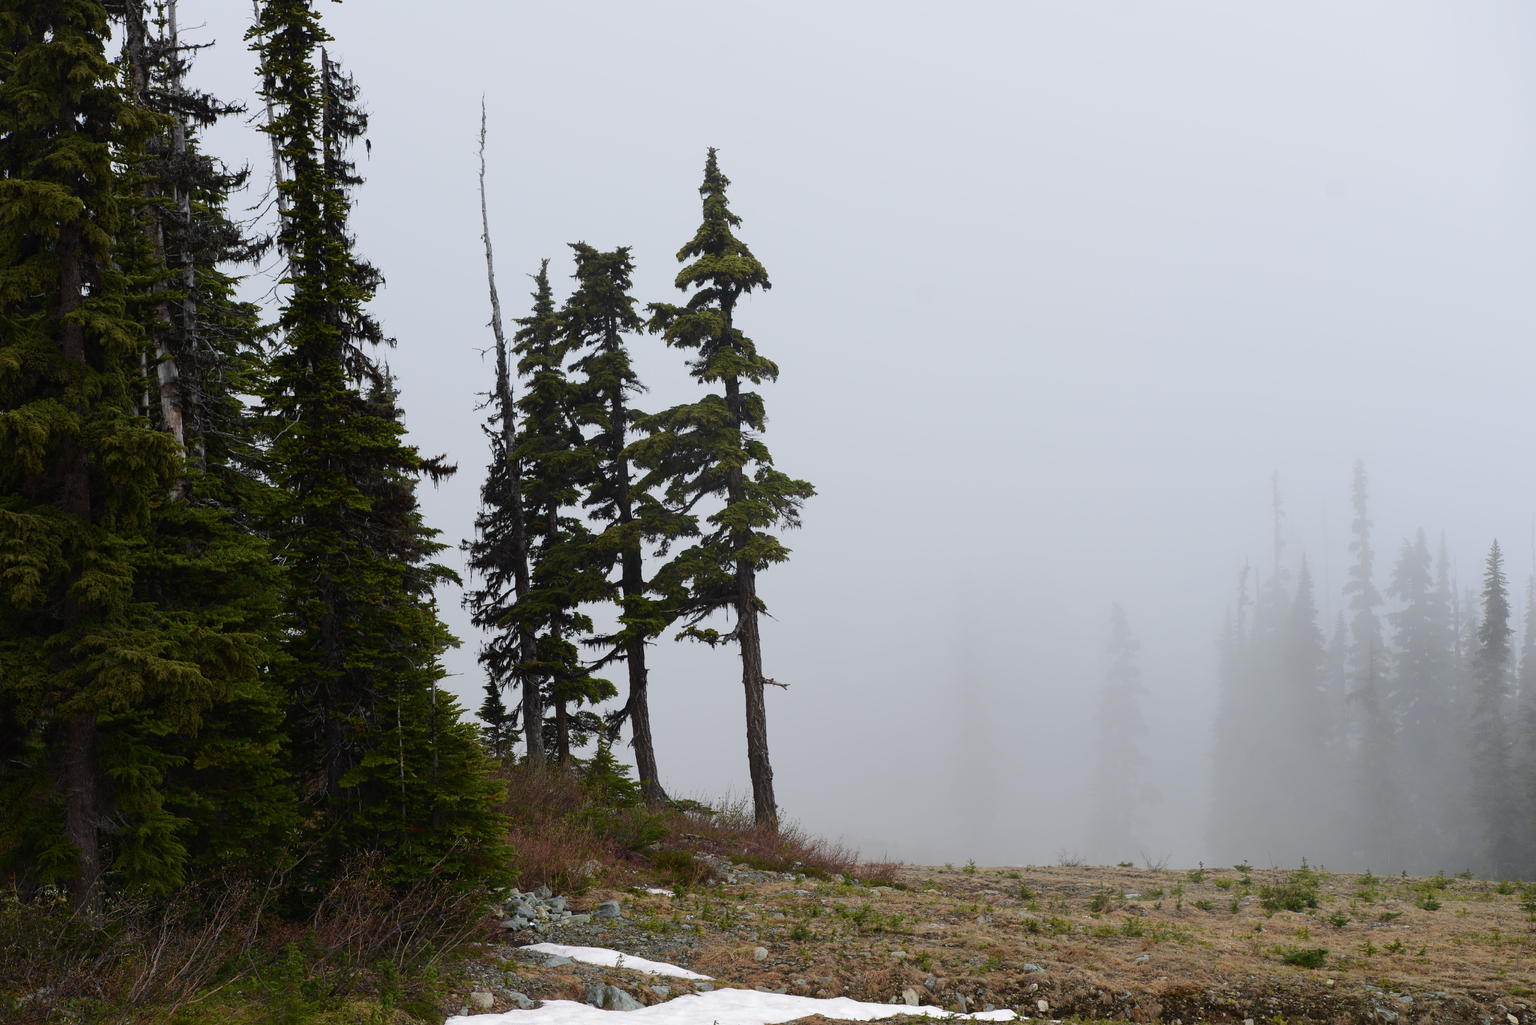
pixel 219 639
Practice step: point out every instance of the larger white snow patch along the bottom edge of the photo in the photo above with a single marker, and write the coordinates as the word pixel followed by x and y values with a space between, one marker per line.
pixel 720 1007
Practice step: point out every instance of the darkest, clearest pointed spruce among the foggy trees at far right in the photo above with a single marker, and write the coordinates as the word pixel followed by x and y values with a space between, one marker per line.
pixel 1494 797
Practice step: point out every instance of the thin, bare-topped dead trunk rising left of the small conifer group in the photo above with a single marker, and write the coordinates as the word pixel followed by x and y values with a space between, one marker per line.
pixel 532 698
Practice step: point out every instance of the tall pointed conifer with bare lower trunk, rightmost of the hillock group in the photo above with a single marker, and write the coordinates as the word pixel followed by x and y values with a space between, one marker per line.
pixel 713 448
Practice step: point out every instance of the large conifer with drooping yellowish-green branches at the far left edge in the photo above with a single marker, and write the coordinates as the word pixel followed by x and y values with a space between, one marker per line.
pixel 122 640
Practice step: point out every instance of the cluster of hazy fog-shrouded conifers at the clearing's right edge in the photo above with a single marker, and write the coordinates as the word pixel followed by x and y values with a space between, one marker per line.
pixel 1400 737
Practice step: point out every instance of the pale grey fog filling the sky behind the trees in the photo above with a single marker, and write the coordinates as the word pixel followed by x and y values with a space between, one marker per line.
pixel 1059 290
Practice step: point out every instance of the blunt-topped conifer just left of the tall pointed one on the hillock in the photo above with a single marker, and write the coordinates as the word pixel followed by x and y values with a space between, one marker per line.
pixel 597 320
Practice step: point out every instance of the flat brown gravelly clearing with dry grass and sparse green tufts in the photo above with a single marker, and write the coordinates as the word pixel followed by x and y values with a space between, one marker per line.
pixel 1076 943
